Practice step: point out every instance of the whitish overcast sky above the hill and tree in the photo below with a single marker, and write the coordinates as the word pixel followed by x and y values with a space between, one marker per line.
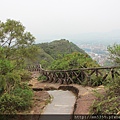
pixel 54 19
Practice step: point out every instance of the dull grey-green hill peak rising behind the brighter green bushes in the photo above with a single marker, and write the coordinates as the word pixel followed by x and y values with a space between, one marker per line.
pixel 60 47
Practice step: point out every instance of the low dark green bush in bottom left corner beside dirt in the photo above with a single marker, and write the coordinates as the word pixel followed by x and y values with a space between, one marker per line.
pixel 18 100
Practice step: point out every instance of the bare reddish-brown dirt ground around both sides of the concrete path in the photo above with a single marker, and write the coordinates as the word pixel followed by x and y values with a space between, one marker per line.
pixel 85 97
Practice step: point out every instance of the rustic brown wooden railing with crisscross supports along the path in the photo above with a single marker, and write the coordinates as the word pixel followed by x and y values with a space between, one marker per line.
pixel 78 75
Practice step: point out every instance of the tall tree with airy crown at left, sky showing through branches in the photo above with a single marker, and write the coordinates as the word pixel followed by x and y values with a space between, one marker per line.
pixel 17 43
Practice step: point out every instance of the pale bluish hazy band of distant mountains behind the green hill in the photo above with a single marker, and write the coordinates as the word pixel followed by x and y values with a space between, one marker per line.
pixel 105 38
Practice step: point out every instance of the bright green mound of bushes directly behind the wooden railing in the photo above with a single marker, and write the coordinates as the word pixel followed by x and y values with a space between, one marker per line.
pixel 74 60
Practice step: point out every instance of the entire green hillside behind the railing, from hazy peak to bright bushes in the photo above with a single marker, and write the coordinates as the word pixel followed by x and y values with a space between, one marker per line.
pixel 57 51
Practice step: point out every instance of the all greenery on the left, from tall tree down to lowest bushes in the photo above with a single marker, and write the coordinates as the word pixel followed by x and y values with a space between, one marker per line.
pixel 16 46
